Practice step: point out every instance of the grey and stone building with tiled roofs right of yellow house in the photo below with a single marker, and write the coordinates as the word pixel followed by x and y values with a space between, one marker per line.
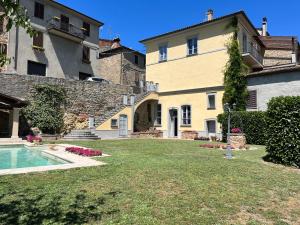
pixel 280 75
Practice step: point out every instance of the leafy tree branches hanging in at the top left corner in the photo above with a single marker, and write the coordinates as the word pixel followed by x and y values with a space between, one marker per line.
pixel 14 14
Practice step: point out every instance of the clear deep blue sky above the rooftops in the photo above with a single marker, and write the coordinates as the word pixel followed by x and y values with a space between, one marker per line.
pixel 134 20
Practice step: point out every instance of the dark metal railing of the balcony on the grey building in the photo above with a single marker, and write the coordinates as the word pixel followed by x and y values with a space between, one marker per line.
pixel 66 27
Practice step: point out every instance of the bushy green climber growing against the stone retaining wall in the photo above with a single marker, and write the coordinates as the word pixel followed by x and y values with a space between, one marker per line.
pixel 46 108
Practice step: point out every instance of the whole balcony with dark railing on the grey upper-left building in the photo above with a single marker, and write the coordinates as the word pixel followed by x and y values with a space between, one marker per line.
pixel 65 30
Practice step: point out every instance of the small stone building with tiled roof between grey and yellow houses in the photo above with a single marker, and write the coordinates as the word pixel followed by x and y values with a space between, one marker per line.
pixel 120 64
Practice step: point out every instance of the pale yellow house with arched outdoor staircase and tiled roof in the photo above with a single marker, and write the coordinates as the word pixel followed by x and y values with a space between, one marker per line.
pixel 187 68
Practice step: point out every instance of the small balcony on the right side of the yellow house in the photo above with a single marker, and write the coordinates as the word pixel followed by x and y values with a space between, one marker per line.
pixel 252 56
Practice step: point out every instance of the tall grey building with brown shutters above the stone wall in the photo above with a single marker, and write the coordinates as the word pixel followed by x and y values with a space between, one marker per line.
pixel 66 44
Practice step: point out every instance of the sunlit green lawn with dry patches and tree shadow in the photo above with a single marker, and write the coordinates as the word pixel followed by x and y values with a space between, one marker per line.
pixel 156 182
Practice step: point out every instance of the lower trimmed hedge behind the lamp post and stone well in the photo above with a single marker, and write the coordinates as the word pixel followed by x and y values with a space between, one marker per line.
pixel 253 124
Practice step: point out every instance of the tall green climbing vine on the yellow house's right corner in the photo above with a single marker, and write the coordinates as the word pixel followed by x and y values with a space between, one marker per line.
pixel 235 73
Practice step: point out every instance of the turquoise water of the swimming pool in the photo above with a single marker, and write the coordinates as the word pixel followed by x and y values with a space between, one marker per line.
pixel 12 157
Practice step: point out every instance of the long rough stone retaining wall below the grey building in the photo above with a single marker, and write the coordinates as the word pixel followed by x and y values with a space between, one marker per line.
pixel 83 97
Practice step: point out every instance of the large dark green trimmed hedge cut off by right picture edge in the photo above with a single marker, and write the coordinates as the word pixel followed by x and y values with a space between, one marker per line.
pixel 283 144
